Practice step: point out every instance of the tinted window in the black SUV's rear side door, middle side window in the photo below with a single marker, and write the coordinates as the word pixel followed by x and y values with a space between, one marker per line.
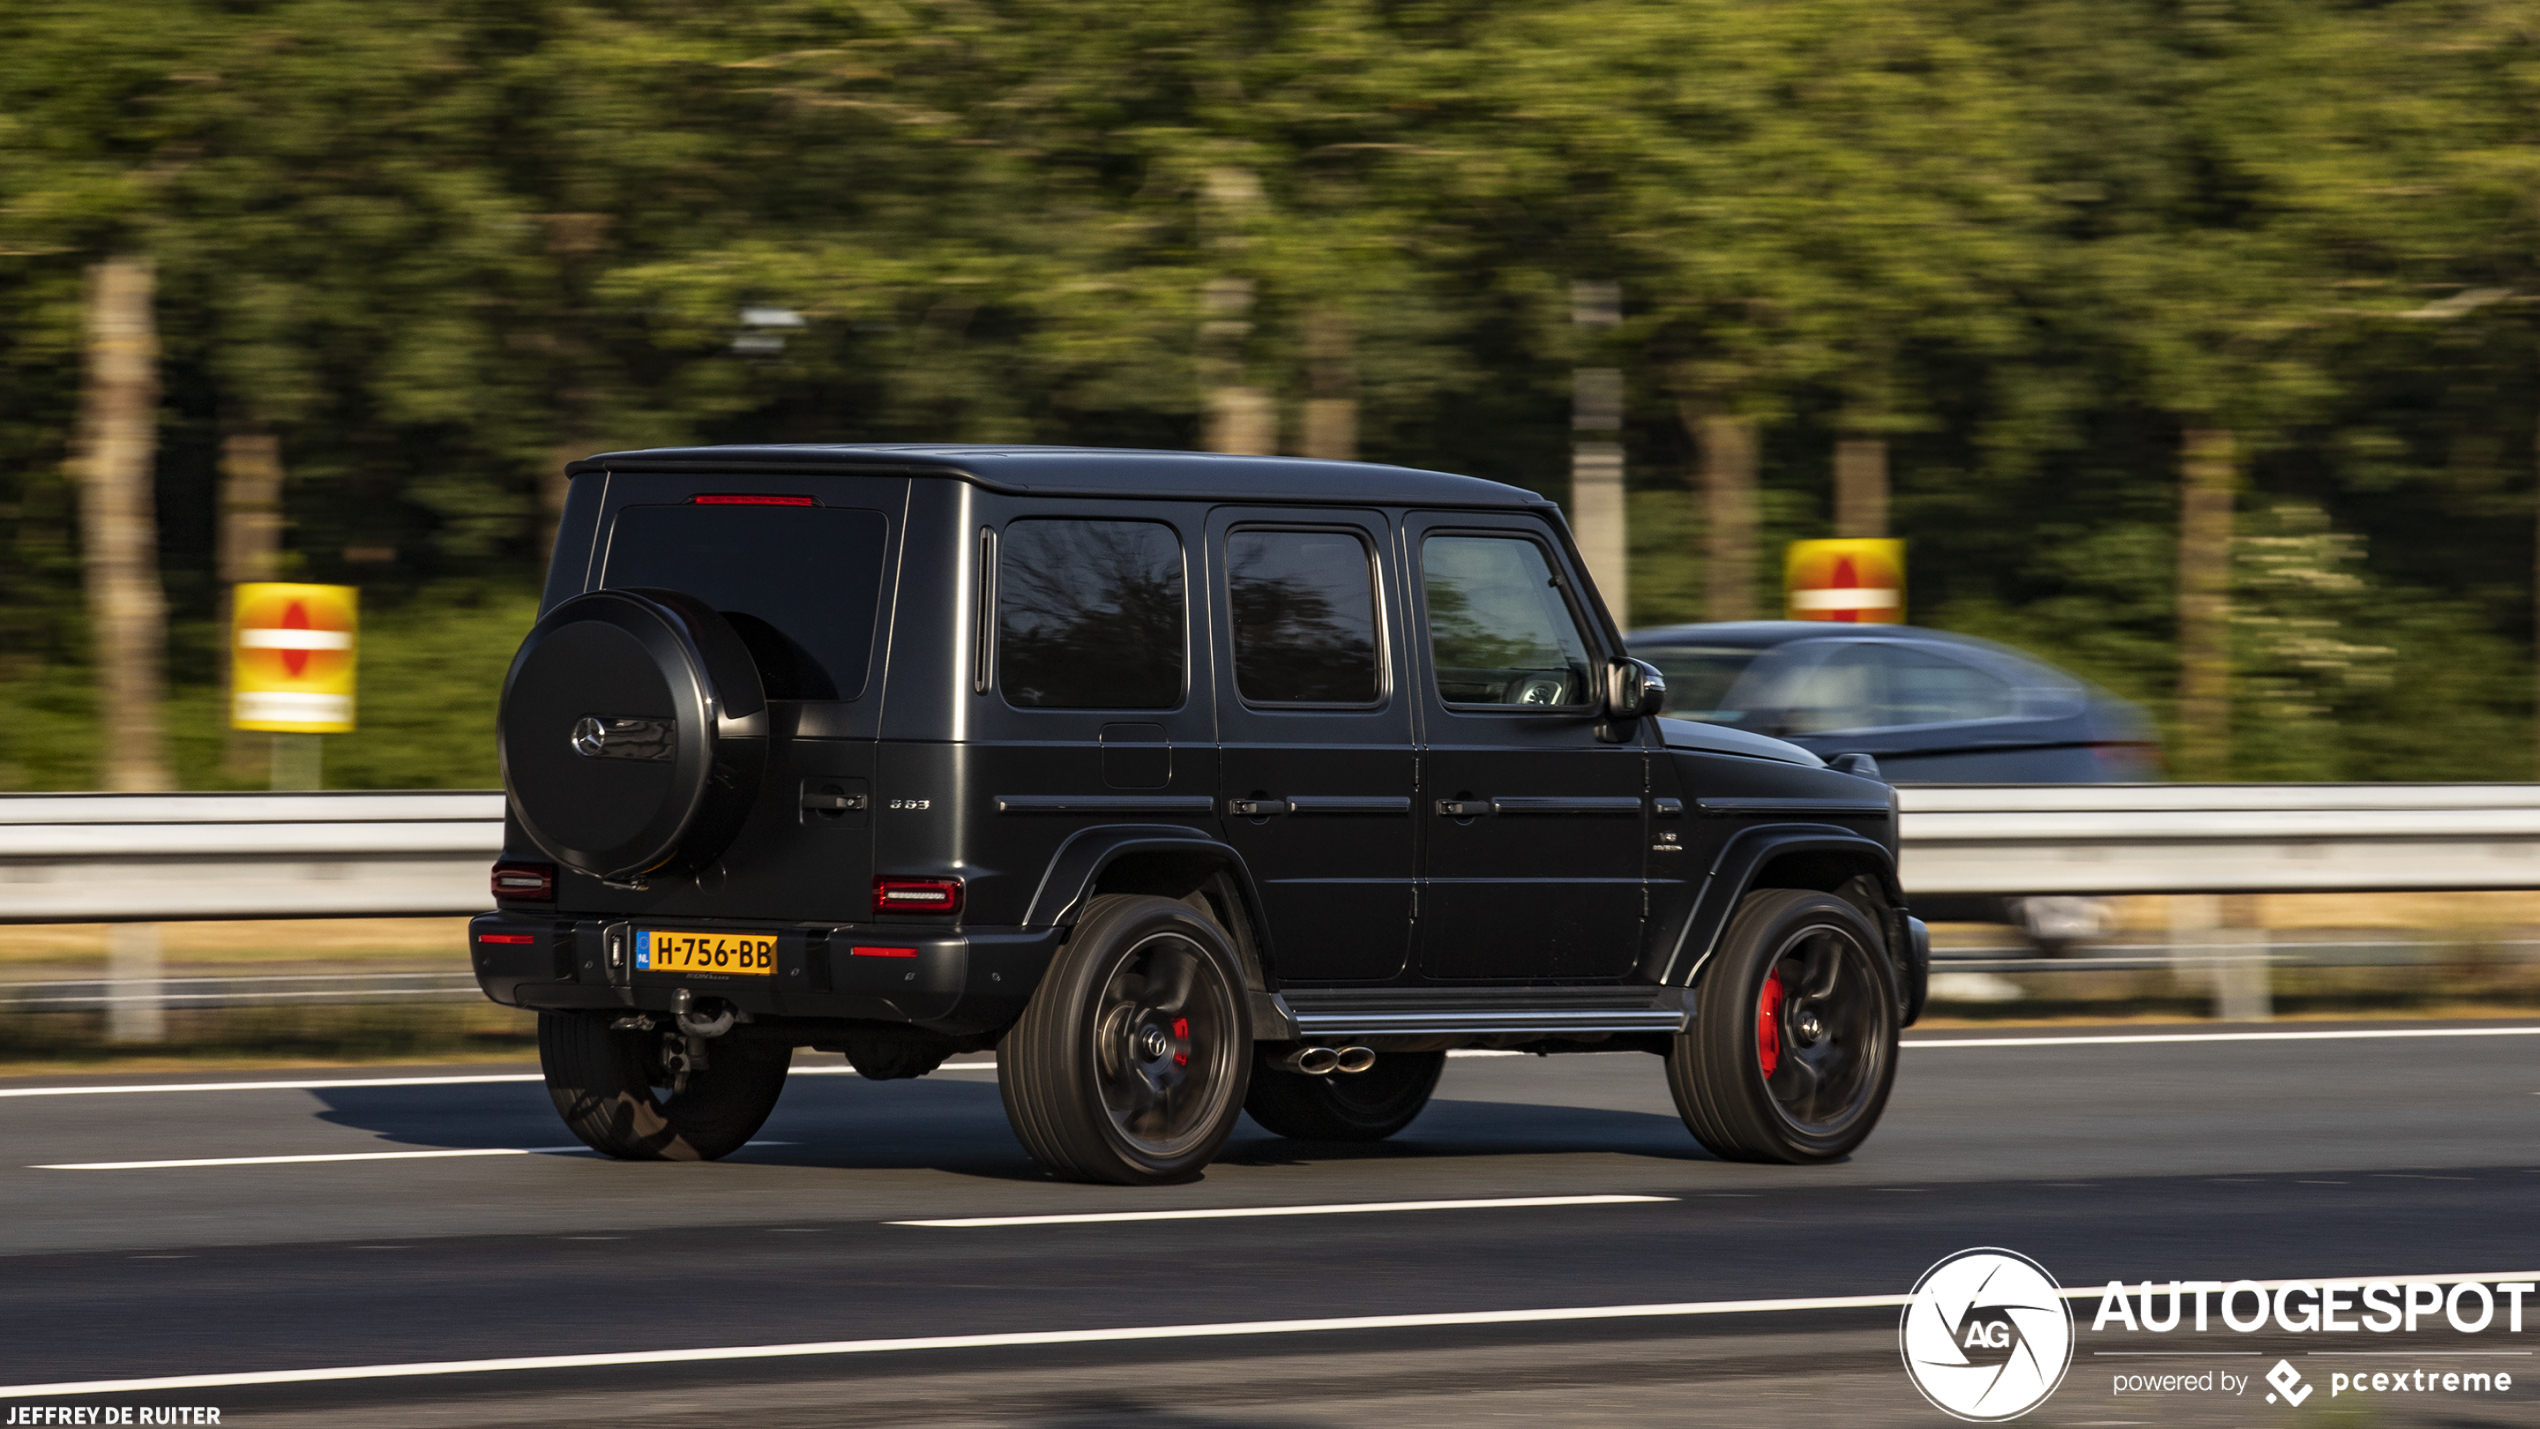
pixel 1304 610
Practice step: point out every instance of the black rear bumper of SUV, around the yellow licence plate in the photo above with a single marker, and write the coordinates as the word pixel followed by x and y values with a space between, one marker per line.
pixel 964 984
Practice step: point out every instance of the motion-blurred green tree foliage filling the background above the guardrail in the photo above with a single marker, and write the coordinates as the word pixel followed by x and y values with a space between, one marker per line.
pixel 441 245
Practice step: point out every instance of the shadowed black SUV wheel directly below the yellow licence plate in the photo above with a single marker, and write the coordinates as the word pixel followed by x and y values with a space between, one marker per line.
pixel 626 1093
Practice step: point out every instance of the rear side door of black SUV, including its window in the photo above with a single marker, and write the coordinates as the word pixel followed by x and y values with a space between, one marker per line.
pixel 1317 737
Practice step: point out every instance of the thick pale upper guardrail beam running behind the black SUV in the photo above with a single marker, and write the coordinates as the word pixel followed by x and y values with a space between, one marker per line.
pixel 286 857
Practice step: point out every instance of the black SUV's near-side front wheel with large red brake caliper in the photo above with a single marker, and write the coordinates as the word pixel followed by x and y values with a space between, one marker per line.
pixel 1797 1034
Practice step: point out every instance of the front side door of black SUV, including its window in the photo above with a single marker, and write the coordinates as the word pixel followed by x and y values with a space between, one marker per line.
pixel 1533 826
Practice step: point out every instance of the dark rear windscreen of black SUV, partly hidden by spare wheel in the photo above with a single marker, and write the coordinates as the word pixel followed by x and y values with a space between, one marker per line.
pixel 801 585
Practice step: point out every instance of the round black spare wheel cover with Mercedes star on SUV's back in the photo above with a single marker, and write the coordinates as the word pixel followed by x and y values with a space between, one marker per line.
pixel 616 714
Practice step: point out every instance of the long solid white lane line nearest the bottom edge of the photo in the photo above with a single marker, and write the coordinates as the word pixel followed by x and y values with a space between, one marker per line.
pixel 1083 1339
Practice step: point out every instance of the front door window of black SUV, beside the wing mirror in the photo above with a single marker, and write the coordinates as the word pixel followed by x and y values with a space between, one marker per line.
pixel 1500 628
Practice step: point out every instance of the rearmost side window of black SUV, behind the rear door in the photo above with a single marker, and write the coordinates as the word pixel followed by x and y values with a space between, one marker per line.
pixel 1091 616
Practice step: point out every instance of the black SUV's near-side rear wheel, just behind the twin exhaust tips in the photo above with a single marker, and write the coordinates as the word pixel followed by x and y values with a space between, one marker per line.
pixel 1132 1057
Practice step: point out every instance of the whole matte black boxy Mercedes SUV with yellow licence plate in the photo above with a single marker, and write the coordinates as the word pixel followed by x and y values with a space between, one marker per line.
pixel 1190 786
